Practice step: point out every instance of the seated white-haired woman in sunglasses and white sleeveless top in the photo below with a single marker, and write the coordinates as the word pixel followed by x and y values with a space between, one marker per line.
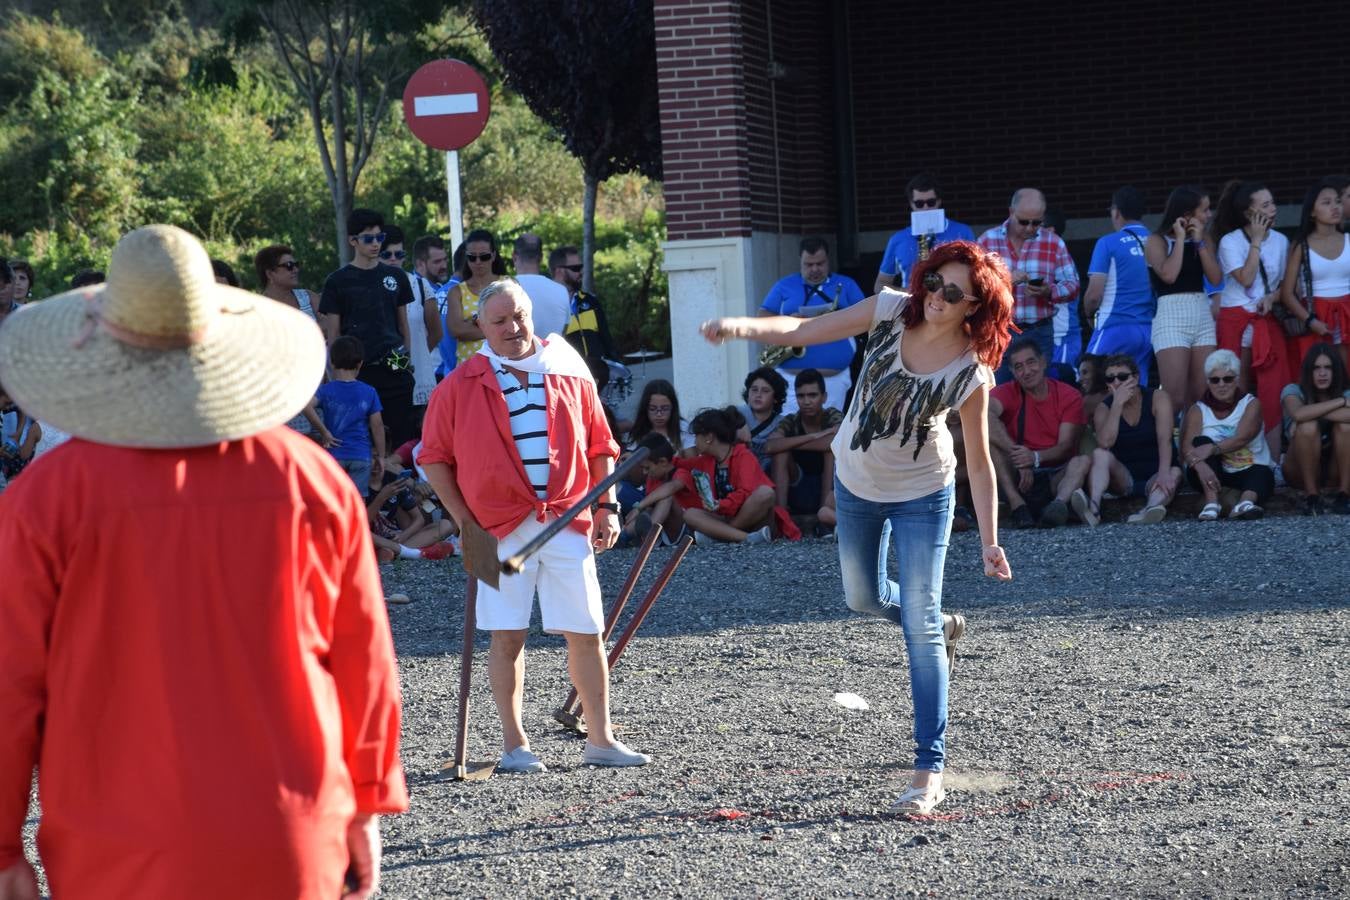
pixel 1224 445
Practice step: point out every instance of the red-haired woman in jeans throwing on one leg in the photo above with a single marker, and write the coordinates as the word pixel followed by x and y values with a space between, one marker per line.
pixel 928 351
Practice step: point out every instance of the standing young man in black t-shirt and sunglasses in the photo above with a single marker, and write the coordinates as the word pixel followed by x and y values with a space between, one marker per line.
pixel 369 300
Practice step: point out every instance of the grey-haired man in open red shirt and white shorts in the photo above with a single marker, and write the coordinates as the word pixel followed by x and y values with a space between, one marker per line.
pixel 515 438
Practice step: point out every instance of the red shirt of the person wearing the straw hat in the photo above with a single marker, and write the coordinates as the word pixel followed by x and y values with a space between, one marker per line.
pixel 196 655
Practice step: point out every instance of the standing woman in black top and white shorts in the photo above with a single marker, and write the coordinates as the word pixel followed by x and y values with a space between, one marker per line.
pixel 1181 261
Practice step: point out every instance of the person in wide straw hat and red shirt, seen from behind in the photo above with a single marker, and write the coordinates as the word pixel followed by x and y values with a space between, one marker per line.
pixel 194 644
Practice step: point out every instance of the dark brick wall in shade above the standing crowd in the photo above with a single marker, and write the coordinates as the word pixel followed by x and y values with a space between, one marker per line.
pixel 1086 98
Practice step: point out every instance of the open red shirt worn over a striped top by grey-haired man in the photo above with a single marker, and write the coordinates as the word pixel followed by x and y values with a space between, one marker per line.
pixel 469 430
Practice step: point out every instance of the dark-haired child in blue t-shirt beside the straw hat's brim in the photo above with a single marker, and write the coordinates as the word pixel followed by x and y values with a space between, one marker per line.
pixel 352 424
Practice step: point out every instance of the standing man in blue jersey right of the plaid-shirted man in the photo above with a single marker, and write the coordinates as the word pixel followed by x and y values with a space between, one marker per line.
pixel 1120 296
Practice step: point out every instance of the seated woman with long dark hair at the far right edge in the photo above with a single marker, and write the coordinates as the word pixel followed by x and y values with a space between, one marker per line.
pixel 1317 427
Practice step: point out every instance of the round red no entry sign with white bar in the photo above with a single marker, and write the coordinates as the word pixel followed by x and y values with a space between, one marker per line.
pixel 446 105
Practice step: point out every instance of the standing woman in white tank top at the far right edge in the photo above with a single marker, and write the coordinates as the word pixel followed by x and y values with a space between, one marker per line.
pixel 1317 279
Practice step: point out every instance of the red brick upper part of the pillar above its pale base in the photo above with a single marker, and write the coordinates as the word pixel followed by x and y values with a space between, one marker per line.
pixel 703 102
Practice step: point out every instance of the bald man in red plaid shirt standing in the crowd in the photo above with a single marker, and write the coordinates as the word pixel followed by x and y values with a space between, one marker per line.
pixel 1043 271
